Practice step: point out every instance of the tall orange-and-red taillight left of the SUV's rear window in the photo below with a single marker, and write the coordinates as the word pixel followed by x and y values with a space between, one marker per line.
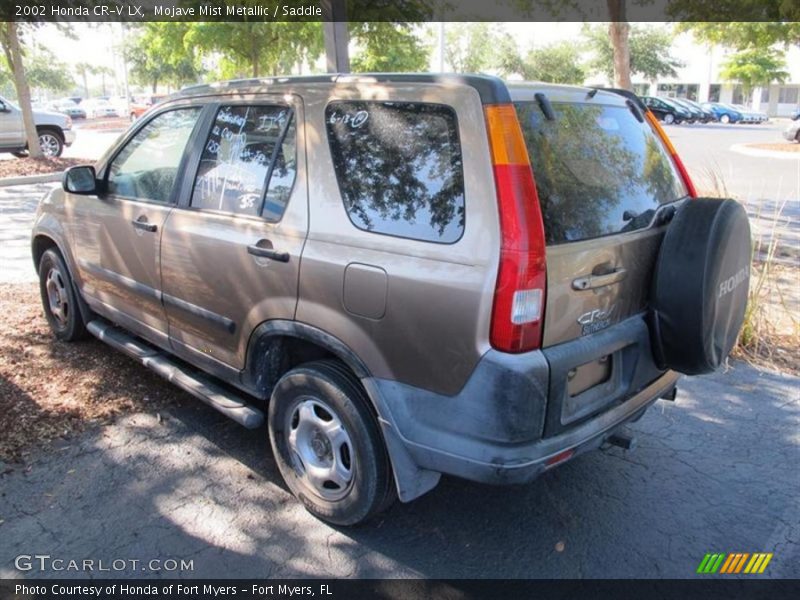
pixel 519 295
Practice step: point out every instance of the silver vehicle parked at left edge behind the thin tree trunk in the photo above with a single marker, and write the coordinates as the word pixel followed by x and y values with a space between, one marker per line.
pixel 54 129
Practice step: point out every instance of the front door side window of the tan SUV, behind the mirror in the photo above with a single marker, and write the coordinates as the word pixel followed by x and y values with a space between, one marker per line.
pixel 146 168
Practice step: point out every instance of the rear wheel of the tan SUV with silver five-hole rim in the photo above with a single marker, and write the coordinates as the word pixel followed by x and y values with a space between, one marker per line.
pixel 320 417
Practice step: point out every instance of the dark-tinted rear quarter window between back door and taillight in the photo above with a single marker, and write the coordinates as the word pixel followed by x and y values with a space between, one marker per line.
pixel 399 168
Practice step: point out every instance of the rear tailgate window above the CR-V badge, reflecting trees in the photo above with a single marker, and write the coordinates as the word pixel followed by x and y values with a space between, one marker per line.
pixel 598 170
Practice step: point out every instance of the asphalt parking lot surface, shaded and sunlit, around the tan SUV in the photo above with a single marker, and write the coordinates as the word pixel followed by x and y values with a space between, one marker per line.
pixel 716 471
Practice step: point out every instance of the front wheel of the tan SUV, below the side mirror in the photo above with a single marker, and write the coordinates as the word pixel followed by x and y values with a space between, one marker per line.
pixel 59 298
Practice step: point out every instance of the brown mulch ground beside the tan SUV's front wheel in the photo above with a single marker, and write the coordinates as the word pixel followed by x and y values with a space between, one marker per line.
pixel 50 390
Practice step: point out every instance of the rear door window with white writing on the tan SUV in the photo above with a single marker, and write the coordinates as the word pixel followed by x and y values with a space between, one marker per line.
pixel 248 165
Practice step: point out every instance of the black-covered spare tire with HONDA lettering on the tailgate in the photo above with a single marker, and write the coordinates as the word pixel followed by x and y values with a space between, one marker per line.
pixel 700 285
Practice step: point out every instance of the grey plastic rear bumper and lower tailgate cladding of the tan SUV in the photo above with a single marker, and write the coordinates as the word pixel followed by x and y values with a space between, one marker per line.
pixel 514 412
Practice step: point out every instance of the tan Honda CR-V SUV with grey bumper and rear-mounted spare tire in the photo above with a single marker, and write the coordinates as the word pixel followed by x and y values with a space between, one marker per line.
pixel 411 274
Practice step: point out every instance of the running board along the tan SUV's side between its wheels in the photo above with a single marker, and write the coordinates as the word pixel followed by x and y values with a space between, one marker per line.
pixel 199 385
